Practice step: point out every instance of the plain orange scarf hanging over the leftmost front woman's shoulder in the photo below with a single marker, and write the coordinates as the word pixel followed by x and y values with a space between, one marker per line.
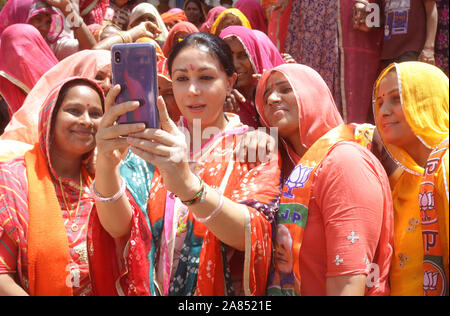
pixel 48 245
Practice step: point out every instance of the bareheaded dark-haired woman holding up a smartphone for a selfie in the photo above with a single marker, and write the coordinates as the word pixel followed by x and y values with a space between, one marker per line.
pixel 207 227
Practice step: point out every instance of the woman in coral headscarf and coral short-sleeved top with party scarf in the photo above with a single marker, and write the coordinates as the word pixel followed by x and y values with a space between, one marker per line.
pixel 335 222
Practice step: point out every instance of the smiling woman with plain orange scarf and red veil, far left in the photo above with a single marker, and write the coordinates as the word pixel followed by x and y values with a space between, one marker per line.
pixel 44 198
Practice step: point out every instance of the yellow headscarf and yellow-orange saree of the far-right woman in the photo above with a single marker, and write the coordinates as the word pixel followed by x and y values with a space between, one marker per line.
pixel 424 94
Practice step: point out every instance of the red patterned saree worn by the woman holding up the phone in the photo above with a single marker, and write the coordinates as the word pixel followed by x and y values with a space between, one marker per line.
pixel 171 253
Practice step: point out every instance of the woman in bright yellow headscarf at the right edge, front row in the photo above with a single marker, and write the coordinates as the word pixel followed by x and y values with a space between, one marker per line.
pixel 411 111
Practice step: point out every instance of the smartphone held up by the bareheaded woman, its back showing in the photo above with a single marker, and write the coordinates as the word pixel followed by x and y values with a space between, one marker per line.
pixel 134 68
